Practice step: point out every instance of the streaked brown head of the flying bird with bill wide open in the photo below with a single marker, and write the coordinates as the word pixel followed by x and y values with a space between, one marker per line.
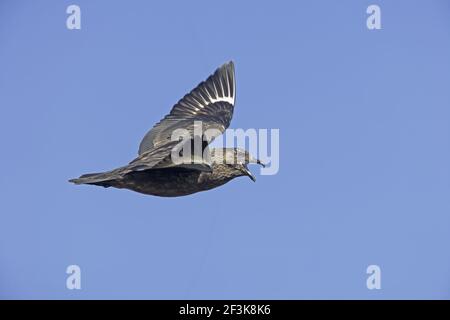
pixel 236 160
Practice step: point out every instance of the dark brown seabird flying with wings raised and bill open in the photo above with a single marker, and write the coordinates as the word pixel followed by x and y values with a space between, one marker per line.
pixel 155 171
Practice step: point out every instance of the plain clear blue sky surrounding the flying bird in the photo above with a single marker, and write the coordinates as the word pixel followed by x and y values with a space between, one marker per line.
pixel 364 119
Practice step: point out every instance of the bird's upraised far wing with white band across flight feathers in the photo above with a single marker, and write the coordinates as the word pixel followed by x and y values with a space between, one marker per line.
pixel 211 102
